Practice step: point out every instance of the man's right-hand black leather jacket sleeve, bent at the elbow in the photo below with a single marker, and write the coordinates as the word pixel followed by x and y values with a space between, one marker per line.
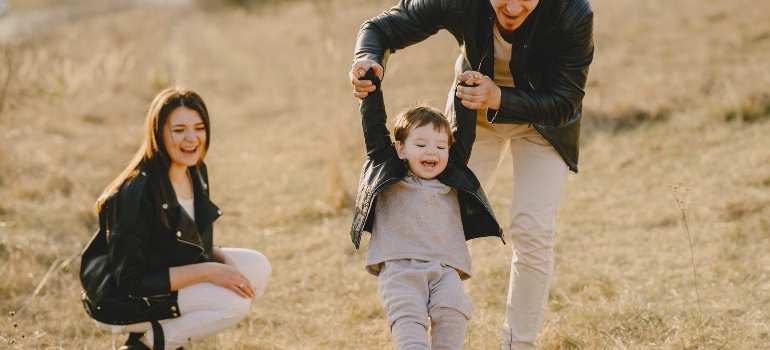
pixel 563 79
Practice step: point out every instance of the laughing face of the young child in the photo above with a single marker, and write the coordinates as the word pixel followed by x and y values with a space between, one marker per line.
pixel 426 151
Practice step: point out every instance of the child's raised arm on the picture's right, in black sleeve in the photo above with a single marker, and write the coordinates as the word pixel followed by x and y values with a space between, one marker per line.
pixel 463 128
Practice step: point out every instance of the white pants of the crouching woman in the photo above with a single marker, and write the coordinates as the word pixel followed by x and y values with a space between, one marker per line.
pixel 207 309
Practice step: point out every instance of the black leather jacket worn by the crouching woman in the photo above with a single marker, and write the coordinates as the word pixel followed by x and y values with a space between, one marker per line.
pixel 125 268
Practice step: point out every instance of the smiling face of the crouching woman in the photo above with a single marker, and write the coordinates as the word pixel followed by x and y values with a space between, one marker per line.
pixel 184 136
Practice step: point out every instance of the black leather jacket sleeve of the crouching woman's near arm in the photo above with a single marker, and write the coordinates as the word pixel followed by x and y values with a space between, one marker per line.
pixel 130 246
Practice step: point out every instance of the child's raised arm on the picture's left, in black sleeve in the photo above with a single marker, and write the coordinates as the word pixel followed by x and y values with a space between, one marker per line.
pixel 373 119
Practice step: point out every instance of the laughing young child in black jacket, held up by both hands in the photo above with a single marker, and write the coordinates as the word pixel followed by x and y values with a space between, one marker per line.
pixel 421 203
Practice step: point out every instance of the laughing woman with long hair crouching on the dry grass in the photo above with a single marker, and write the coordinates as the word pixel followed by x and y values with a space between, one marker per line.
pixel 152 270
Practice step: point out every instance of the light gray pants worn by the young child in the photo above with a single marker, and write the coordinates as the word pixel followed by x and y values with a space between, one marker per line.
pixel 412 291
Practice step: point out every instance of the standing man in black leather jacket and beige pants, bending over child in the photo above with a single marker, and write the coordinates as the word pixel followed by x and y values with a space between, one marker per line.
pixel 534 55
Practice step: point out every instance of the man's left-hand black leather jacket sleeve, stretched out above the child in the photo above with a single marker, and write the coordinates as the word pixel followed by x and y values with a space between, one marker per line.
pixel 408 23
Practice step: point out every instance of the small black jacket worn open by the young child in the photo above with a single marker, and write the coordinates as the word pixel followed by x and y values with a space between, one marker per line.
pixel 383 168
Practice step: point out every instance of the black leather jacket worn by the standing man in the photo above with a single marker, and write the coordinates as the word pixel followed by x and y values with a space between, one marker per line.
pixel 549 60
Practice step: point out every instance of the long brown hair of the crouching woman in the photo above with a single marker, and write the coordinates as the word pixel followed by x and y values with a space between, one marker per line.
pixel 152 156
